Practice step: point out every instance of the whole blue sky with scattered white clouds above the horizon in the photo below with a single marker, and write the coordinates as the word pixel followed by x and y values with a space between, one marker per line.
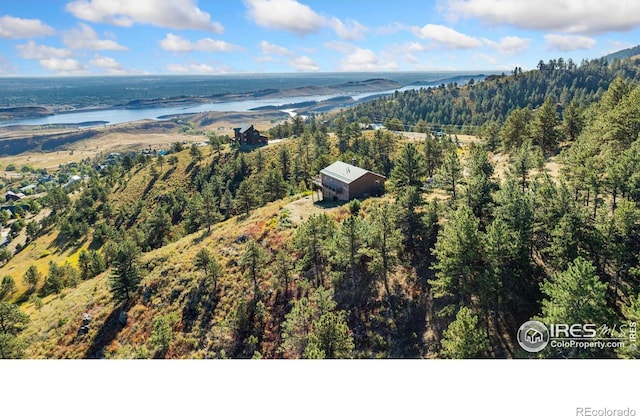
pixel 120 37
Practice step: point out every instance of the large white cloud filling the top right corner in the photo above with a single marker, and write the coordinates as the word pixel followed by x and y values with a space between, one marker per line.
pixel 585 16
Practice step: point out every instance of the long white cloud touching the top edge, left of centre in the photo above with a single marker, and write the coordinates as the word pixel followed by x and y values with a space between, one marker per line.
pixel 173 14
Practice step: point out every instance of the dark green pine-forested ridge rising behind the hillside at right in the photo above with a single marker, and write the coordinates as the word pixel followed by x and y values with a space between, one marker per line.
pixel 454 108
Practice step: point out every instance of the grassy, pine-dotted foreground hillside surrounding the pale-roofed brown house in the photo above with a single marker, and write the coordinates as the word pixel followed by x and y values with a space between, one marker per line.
pixel 224 252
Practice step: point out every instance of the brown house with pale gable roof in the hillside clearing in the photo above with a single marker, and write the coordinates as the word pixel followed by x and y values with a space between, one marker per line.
pixel 341 181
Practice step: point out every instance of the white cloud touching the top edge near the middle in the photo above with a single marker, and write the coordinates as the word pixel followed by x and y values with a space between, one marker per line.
pixel 293 16
